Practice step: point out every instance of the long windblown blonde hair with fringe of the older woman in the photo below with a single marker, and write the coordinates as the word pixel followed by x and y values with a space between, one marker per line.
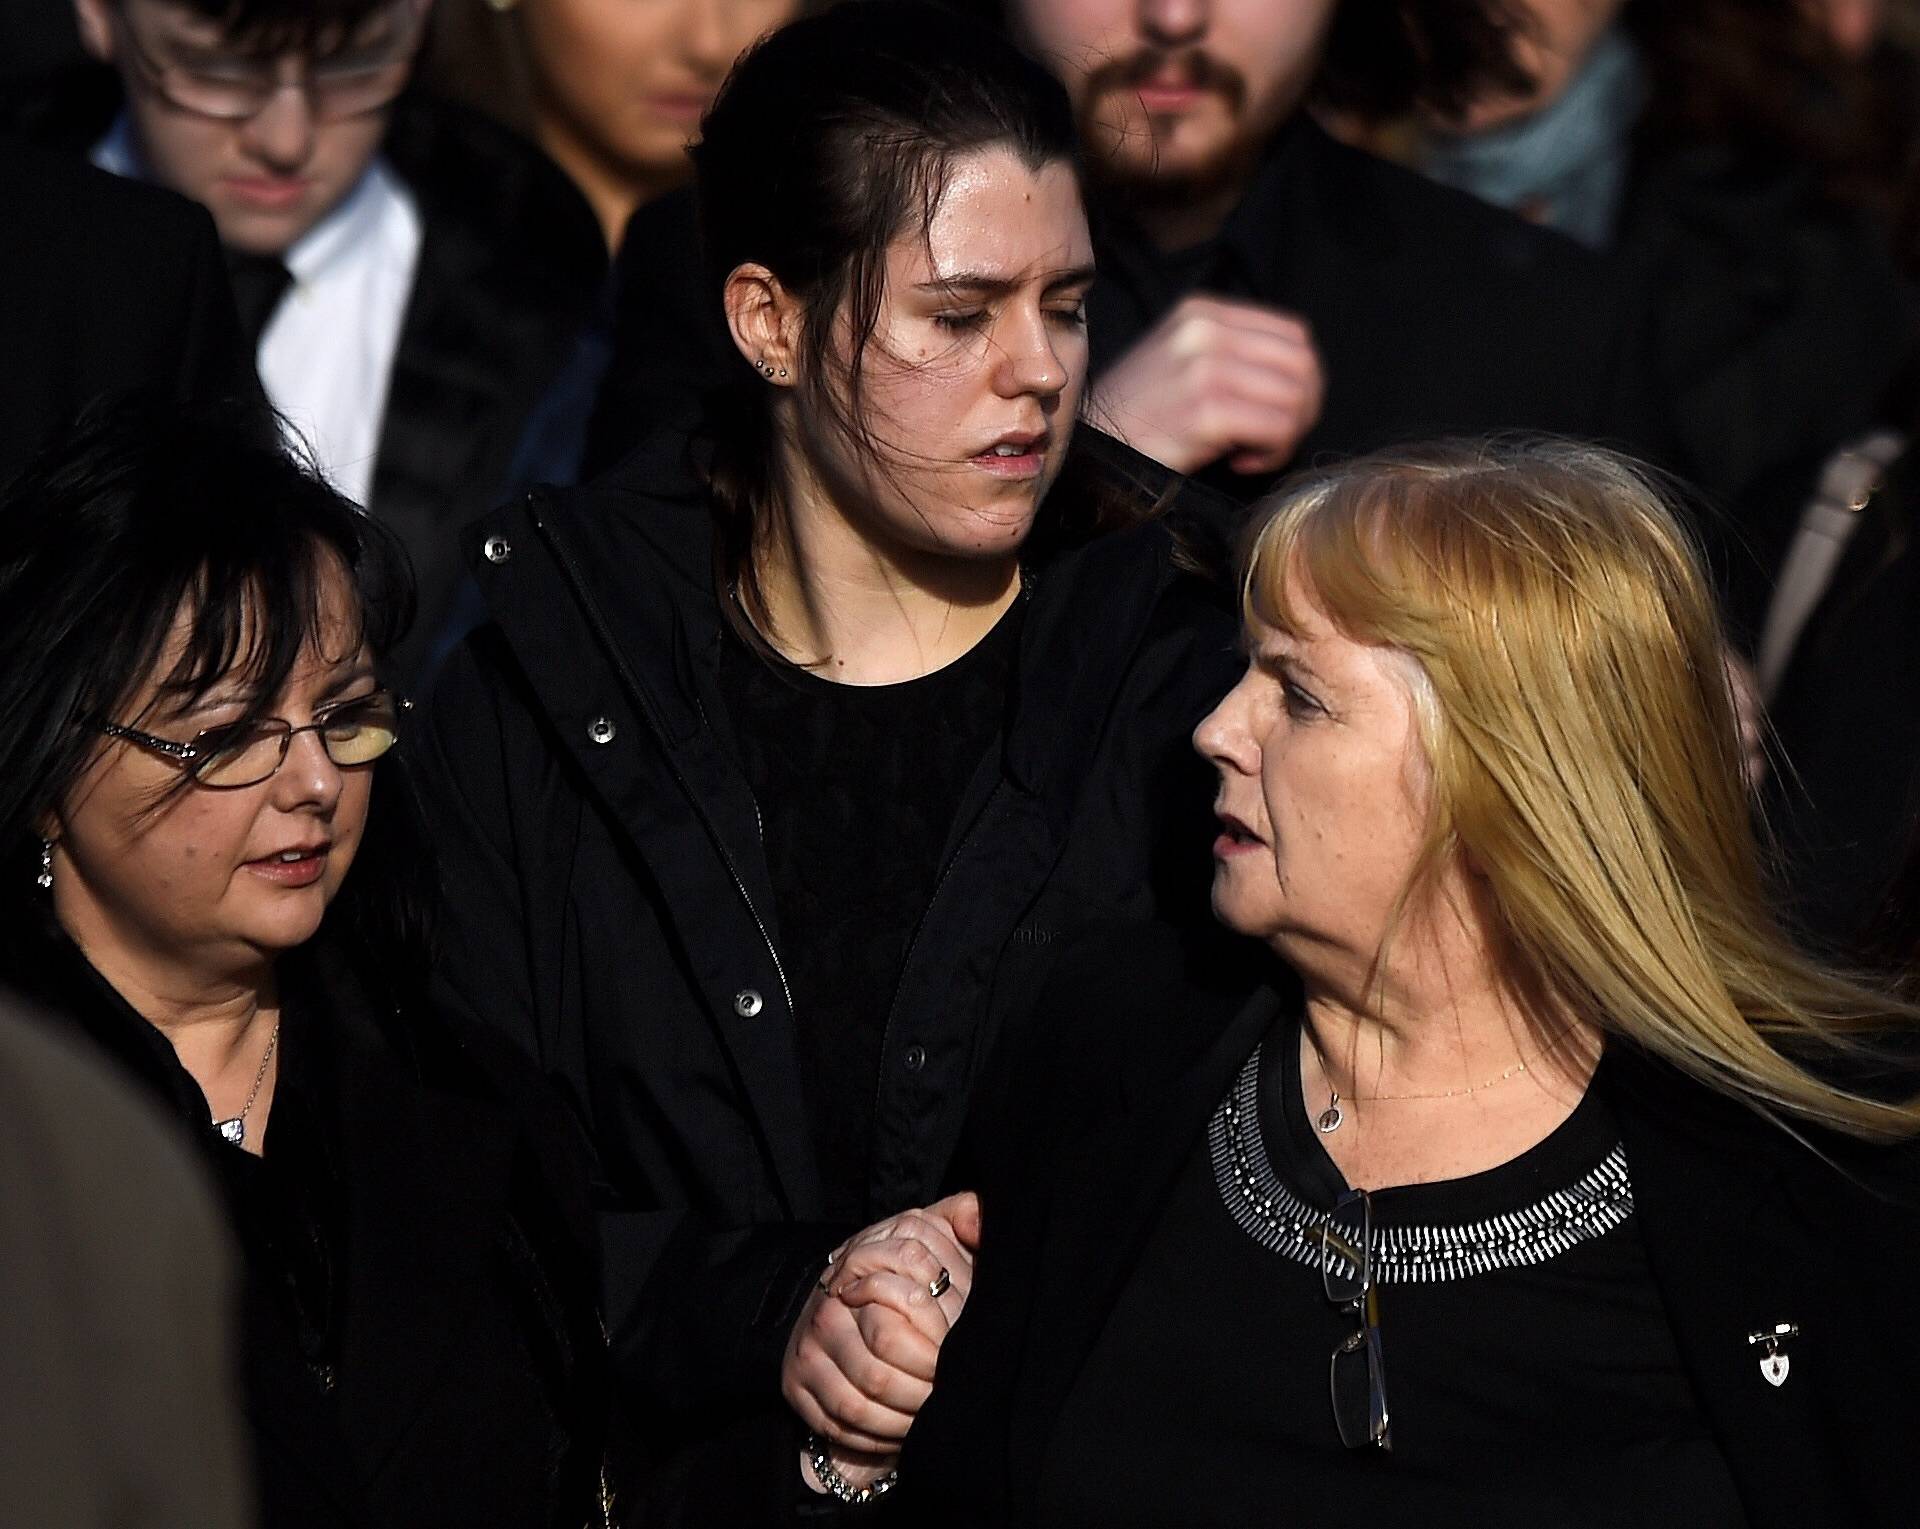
pixel 1583 752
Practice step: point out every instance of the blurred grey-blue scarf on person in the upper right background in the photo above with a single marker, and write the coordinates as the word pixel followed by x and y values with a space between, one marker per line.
pixel 1566 164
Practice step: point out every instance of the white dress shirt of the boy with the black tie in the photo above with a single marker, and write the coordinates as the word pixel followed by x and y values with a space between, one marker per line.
pixel 327 354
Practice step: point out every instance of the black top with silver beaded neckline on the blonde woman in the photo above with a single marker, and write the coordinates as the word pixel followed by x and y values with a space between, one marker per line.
pixel 1524 1394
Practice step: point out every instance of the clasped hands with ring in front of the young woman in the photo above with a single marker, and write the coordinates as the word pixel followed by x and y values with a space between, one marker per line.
pixel 861 1361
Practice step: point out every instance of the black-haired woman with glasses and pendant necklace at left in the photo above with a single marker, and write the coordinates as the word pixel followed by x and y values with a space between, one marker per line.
pixel 197 752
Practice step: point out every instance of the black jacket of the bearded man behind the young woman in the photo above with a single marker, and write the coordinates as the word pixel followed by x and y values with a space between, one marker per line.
pixel 1433 312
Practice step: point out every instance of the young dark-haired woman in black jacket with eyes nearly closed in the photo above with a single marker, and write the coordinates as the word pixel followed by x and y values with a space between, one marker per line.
pixel 798 744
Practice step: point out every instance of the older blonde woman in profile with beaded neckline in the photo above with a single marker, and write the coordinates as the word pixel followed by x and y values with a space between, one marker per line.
pixel 1541 1180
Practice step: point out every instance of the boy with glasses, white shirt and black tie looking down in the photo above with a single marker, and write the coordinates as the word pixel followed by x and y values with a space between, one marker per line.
pixel 410 276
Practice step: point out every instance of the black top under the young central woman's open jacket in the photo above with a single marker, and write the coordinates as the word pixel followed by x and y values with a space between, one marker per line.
pixel 857 790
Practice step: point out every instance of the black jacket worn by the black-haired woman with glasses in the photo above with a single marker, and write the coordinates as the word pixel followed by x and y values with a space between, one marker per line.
pixel 464 1380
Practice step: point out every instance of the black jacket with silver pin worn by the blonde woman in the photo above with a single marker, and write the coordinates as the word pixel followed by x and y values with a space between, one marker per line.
pixel 1744 1228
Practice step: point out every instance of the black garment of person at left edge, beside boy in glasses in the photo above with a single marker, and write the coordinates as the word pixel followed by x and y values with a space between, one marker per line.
pixel 105 287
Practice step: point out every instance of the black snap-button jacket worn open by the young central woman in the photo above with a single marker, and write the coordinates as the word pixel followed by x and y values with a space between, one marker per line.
pixel 615 910
